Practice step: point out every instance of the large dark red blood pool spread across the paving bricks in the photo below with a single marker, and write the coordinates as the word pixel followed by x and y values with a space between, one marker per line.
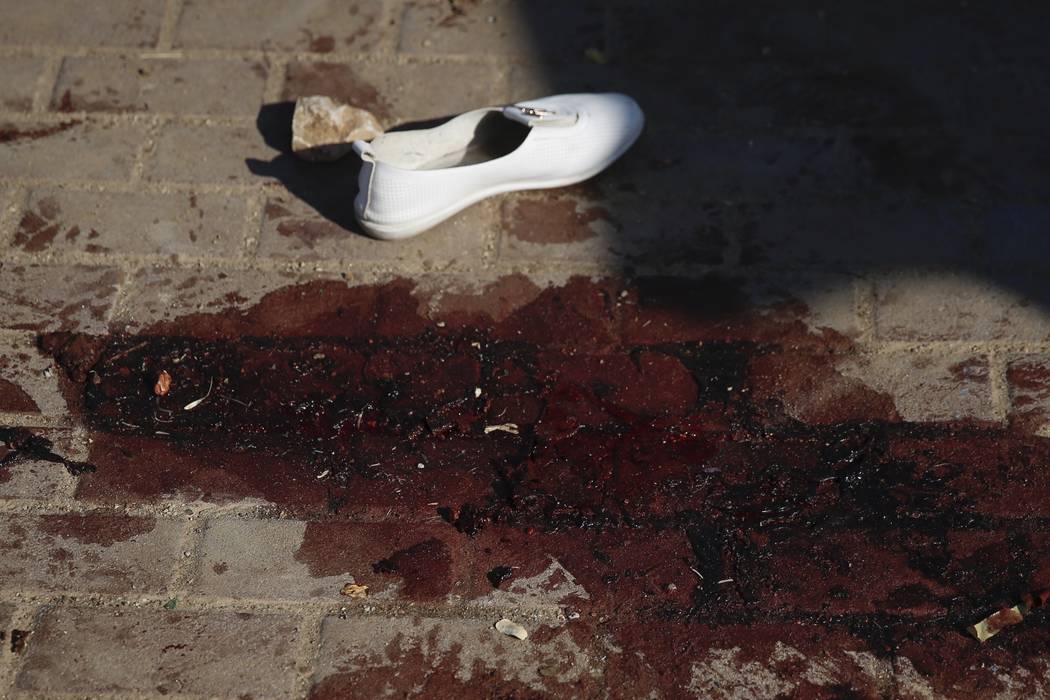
pixel 637 433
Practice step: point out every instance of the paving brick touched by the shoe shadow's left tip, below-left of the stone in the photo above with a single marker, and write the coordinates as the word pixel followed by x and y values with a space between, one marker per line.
pixel 209 155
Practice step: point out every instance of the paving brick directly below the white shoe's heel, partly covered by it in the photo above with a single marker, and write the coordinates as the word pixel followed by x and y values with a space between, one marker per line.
pixel 295 230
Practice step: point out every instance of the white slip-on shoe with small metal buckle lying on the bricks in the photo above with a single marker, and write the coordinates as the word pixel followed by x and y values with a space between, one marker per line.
pixel 411 181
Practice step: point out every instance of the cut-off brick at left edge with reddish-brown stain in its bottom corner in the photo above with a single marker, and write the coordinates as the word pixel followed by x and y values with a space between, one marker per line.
pixel 29 381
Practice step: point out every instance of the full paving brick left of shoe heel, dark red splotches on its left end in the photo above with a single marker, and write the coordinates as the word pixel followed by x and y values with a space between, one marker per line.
pixel 178 224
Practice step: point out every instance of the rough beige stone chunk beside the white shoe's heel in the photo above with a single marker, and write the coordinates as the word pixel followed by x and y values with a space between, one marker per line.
pixel 324 130
